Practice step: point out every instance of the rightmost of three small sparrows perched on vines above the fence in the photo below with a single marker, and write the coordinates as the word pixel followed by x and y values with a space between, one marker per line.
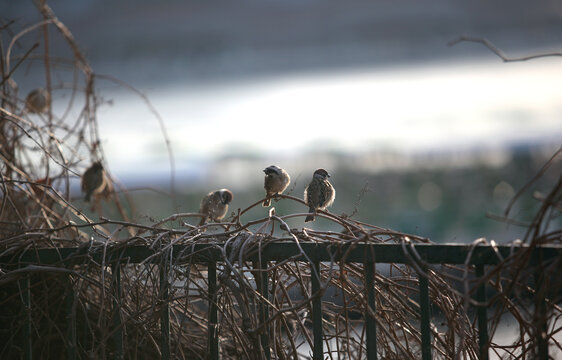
pixel 319 194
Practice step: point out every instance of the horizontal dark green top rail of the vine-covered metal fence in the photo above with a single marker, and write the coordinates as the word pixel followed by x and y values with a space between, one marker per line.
pixel 278 251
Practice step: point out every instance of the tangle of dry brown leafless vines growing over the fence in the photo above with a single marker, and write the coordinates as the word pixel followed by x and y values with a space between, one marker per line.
pixel 42 152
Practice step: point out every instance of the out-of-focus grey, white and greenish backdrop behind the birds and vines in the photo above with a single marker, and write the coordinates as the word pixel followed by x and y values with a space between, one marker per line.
pixel 418 136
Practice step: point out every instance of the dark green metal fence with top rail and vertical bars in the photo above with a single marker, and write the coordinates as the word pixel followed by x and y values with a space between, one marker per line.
pixel 415 255
